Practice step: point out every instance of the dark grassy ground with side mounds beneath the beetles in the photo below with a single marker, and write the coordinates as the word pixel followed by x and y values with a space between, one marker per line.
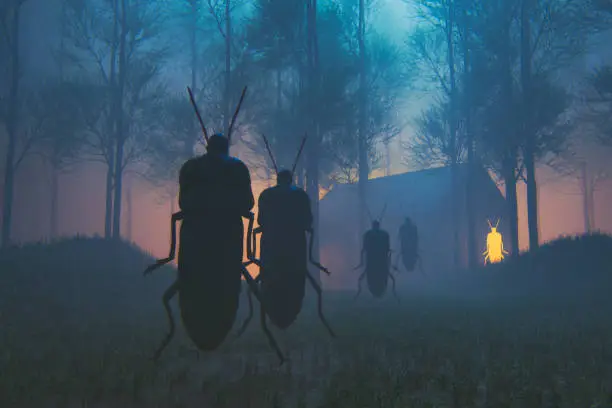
pixel 469 345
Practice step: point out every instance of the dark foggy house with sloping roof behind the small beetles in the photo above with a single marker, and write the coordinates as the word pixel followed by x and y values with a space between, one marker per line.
pixel 425 196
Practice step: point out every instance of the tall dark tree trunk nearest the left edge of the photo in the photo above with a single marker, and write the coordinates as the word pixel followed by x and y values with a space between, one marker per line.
pixel 11 123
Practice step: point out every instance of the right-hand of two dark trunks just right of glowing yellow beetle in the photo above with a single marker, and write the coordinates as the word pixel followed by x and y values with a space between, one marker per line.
pixel 529 151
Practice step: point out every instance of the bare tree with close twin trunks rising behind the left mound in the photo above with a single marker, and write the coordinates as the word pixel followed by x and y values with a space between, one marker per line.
pixel 117 41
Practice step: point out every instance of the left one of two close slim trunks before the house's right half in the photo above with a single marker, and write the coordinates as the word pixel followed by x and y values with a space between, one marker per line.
pixel 453 134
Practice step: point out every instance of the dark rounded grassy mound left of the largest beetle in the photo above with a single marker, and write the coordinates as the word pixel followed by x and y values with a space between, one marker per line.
pixel 79 279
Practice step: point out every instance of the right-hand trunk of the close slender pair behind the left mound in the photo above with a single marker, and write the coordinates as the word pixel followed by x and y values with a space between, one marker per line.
pixel 119 124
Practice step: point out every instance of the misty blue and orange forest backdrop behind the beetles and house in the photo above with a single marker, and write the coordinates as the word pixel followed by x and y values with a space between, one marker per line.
pixel 95 118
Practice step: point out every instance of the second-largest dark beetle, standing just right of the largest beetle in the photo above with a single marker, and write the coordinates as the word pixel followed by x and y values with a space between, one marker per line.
pixel 283 272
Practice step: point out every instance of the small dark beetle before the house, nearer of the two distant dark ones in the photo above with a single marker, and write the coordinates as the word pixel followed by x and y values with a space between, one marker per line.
pixel 377 251
